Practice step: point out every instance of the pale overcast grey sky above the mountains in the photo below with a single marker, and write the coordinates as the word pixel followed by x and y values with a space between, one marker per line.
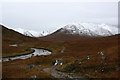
pixel 41 16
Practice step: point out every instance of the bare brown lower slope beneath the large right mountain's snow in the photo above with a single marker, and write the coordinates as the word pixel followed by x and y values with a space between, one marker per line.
pixel 64 36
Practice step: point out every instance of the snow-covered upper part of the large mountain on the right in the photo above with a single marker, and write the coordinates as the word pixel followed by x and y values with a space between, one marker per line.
pixel 90 29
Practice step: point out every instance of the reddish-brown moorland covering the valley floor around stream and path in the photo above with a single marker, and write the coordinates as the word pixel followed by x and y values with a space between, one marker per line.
pixel 91 57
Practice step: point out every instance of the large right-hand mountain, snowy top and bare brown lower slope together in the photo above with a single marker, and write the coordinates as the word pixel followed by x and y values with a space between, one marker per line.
pixel 82 31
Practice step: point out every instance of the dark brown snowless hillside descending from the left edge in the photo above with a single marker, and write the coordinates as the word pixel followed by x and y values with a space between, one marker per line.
pixel 9 35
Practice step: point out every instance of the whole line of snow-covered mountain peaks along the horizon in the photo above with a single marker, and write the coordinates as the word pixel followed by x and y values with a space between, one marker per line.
pixel 82 29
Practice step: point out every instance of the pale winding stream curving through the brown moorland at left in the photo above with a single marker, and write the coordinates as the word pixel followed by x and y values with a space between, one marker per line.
pixel 37 52
